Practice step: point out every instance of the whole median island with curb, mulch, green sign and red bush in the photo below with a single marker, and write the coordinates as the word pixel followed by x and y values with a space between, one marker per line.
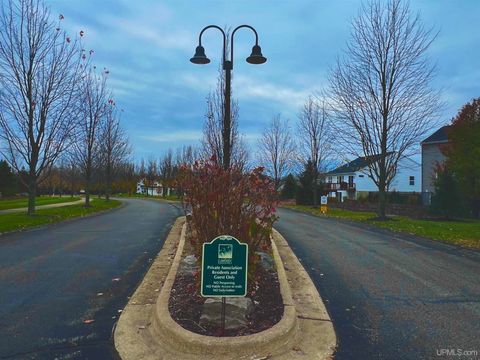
pixel 226 285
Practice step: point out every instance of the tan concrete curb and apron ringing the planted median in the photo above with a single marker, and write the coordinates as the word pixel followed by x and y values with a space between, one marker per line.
pixel 146 330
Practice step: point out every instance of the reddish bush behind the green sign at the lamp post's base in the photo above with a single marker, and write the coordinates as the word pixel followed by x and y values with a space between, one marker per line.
pixel 228 202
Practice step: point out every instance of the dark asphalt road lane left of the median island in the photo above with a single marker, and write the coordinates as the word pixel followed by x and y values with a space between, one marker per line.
pixel 54 278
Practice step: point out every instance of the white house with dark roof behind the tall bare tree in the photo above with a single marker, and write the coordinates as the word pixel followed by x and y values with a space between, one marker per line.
pixel 352 180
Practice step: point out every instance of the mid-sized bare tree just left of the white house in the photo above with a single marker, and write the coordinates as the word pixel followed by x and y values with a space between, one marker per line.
pixel 315 139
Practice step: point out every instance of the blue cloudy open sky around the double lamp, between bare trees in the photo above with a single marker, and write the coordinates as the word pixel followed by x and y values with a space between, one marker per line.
pixel 147 45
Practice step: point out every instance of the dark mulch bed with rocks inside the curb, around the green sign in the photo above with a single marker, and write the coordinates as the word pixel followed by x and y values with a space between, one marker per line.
pixel 259 310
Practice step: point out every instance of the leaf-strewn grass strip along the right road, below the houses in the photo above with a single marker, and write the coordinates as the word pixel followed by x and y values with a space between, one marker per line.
pixel 462 232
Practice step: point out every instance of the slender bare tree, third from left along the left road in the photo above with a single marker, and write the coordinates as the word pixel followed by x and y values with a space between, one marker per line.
pixel 114 146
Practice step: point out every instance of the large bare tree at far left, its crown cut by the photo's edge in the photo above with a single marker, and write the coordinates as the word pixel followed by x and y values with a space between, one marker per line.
pixel 39 68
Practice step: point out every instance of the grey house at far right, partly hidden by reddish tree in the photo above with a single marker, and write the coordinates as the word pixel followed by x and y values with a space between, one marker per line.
pixel 431 157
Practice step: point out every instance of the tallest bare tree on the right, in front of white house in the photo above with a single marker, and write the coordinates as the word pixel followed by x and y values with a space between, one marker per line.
pixel 381 89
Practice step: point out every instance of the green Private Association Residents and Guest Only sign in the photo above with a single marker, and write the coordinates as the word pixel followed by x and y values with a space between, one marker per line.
pixel 224 267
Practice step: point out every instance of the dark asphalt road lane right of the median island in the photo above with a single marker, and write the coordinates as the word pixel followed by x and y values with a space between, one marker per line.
pixel 390 296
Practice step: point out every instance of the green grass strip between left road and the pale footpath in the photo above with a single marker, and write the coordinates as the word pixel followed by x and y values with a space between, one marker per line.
pixel 17 221
